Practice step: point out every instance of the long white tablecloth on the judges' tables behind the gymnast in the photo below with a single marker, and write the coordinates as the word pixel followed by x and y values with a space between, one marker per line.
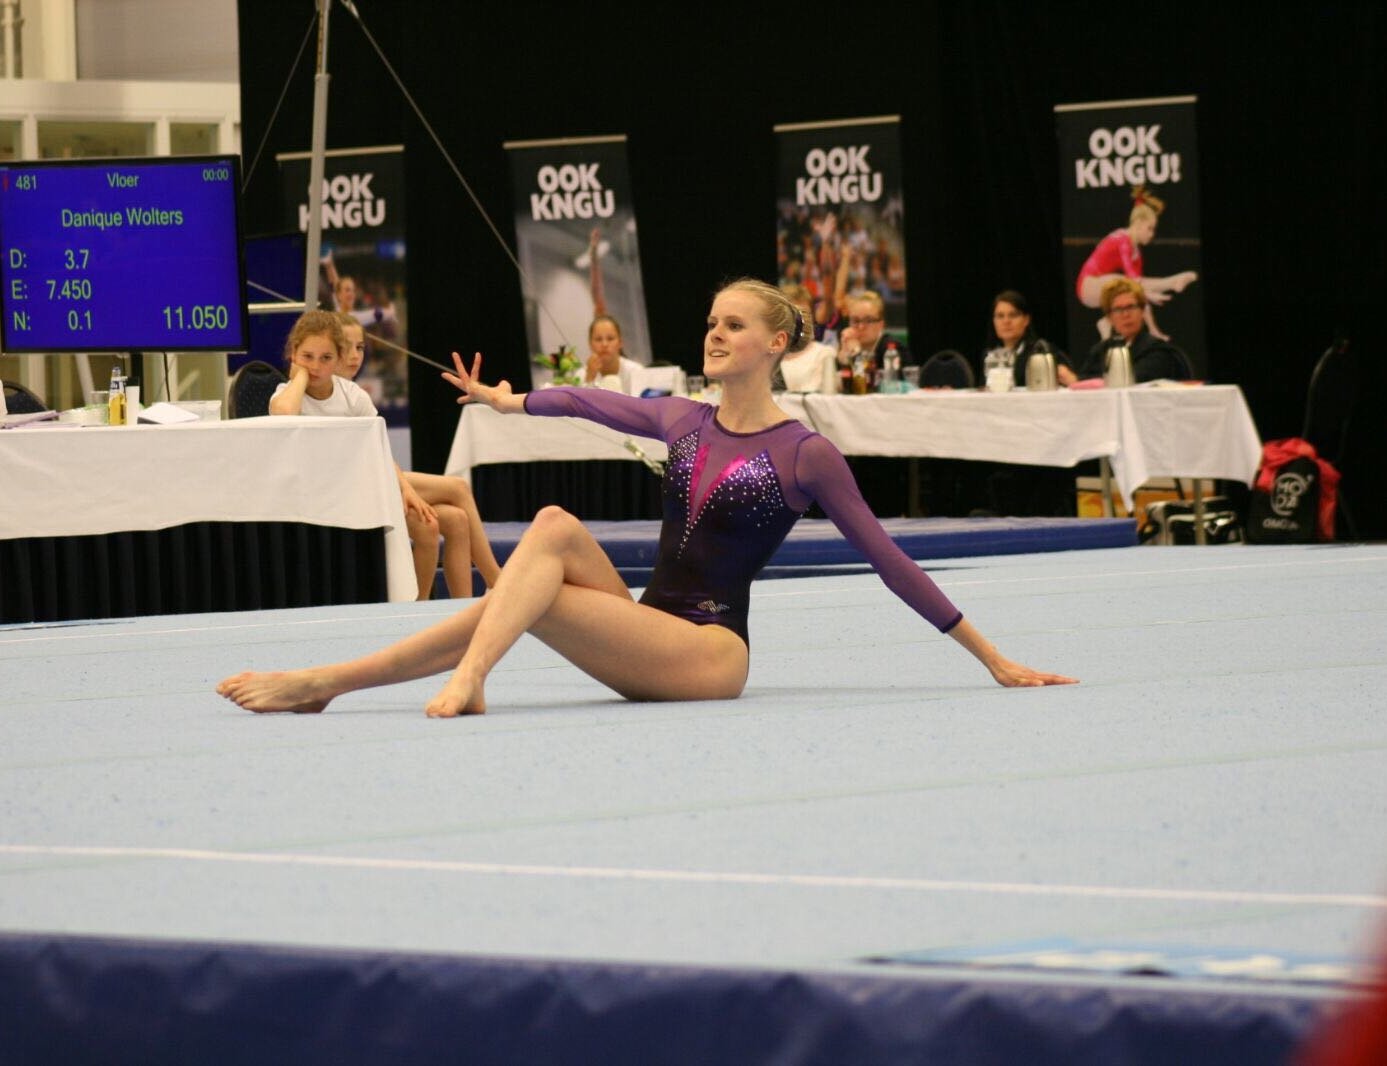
pixel 1145 432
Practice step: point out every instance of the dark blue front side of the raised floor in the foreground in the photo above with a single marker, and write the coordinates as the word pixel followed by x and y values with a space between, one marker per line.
pixel 167 1004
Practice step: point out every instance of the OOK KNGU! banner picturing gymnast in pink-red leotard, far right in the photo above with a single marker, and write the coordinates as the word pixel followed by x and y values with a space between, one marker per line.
pixel 1131 206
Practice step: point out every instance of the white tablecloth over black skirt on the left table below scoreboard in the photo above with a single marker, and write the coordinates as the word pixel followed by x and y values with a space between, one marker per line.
pixel 74 482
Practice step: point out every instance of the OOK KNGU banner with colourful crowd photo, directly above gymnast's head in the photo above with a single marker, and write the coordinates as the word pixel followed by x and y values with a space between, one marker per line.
pixel 840 214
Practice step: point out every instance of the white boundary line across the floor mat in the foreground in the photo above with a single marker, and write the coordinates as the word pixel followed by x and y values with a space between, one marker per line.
pixel 800 881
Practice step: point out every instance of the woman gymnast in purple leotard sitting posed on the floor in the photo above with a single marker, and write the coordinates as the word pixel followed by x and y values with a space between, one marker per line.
pixel 740 476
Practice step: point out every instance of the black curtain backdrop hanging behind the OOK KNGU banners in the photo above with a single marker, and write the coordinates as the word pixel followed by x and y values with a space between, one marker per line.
pixel 1291 123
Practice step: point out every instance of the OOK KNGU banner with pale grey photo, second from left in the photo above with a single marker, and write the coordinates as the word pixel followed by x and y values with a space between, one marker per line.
pixel 578 246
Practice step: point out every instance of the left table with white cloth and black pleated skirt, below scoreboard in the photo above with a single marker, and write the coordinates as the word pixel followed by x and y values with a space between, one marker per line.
pixel 250 514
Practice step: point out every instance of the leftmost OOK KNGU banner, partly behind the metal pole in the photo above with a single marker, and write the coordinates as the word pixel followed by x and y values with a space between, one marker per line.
pixel 363 259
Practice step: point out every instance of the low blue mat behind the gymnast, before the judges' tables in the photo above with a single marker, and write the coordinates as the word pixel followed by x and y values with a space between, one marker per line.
pixel 816 543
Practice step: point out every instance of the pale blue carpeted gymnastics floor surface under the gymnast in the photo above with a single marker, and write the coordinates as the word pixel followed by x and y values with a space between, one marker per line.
pixel 1207 803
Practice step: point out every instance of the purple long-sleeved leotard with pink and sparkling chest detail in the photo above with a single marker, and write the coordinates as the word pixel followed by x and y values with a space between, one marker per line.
pixel 730 500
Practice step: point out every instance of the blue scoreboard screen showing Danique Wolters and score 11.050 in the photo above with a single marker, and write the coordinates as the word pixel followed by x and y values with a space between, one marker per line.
pixel 123 256
